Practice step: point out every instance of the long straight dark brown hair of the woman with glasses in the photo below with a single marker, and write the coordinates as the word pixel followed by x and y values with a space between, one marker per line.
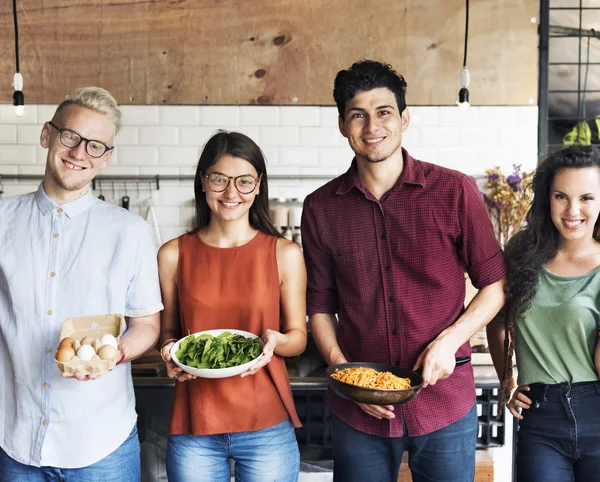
pixel 237 145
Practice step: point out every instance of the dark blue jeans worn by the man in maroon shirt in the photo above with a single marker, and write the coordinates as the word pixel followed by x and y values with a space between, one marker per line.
pixel 446 455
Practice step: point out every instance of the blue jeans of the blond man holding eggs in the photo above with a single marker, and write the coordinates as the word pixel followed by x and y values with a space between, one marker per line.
pixel 123 465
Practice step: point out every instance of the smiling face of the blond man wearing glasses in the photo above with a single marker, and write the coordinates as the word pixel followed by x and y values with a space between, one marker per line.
pixel 69 171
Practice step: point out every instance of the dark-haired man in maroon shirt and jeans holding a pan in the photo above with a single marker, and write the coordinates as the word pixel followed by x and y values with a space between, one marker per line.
pixel 386 245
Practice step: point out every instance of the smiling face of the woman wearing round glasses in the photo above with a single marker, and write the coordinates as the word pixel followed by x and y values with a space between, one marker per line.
pixel 230 205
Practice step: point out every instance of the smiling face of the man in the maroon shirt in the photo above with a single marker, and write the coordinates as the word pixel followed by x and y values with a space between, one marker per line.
pixel 374 126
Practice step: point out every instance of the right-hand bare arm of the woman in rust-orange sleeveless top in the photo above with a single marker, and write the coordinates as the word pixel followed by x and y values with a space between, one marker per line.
pixel 291 340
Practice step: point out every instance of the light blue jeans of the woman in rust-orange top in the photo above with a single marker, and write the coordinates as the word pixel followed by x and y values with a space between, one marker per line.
pixel 267 455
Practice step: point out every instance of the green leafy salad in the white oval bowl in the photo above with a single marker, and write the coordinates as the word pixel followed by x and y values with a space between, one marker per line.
pixel 224 351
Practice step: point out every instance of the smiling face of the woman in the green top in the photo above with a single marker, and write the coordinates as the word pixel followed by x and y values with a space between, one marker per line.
pixel 575 202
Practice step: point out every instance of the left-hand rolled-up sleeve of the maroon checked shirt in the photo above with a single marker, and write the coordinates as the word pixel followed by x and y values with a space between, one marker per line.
pixel 321 291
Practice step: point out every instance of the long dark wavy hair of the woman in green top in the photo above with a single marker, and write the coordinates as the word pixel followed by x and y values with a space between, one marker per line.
pixel 531 248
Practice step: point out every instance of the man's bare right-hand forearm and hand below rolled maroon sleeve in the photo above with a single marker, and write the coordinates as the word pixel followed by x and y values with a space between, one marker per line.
pixel 438 359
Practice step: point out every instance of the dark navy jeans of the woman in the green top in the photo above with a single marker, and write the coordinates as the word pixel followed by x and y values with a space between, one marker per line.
pixel 559 437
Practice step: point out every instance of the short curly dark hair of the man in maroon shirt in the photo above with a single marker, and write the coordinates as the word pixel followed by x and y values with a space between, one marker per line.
pixel 364 76
